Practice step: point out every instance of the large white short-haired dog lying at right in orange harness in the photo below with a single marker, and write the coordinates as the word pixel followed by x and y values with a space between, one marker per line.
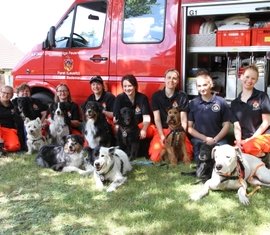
pixel 233 170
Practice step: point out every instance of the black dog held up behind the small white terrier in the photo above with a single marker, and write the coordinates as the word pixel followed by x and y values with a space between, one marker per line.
pixel 24 107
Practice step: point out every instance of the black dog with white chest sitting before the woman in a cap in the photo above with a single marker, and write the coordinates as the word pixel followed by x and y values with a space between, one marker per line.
pixel 97 130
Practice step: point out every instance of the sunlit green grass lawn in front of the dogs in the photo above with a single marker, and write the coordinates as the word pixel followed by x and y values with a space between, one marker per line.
pixel 154 201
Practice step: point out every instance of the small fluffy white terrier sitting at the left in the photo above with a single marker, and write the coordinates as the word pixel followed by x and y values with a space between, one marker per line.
pixel 34 137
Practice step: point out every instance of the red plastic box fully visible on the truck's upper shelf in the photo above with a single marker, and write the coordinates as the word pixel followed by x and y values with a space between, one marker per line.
pixel 233 38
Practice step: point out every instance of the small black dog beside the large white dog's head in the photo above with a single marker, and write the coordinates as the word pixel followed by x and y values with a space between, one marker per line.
pixel 205 162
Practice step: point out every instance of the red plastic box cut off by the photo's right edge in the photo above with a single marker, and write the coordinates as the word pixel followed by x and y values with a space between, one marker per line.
pixel 260 37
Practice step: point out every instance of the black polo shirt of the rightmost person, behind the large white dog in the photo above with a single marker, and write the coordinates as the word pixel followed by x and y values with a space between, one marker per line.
pixel 249 114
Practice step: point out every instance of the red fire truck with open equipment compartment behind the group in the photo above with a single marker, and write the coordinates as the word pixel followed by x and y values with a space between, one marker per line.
pixel 112 38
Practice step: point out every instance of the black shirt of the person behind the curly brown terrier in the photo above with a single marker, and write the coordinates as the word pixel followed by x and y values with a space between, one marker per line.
pixel 162 103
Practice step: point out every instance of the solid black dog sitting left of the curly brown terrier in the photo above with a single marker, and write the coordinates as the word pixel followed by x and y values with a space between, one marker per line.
pixel 128 134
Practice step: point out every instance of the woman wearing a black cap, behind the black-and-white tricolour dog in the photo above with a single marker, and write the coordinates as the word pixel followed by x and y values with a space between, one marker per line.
pixel 105 98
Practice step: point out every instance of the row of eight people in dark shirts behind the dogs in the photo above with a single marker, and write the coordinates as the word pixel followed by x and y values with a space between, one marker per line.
pixel 206 118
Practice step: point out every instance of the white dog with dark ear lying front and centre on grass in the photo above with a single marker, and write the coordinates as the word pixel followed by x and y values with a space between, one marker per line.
pixel 110 164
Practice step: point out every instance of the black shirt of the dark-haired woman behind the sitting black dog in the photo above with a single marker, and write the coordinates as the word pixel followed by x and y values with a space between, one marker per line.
pixel 141 105
